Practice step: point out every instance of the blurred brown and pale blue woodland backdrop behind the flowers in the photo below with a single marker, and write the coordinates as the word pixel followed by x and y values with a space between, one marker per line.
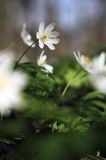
pixel 82 23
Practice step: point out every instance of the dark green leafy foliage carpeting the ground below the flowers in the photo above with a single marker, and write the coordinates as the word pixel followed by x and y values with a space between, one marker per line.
pixel 55 125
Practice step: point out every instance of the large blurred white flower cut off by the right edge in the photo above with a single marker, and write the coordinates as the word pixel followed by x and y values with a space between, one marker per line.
pixel 98 78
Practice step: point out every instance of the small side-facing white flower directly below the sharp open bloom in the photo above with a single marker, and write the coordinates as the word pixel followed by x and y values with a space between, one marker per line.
pixel 41 61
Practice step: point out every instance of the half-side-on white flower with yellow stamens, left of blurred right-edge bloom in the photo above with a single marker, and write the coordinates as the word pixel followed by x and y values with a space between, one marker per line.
pixel 84 61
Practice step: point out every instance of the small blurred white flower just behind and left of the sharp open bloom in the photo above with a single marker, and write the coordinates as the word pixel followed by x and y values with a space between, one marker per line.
pixel 26 37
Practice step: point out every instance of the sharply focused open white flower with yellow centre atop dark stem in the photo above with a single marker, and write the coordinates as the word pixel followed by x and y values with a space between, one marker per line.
pixel 47 36
